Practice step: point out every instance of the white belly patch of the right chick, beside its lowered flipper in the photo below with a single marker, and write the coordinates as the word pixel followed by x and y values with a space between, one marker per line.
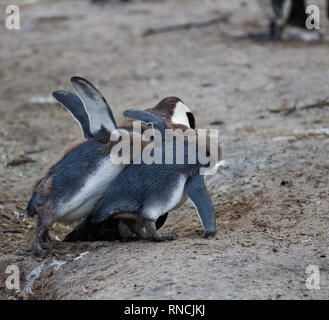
pixel 160 206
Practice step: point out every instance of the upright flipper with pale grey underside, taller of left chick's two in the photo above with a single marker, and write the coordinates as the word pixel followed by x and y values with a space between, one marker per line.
pixel 99 112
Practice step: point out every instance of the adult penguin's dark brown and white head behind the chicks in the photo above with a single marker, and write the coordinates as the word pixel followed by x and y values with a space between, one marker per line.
pixel 174 110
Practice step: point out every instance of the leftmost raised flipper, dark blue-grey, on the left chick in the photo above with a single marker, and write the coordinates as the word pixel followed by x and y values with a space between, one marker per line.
pixel 74 105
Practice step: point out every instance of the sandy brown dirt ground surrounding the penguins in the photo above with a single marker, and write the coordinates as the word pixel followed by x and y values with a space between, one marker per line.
pixel 270 195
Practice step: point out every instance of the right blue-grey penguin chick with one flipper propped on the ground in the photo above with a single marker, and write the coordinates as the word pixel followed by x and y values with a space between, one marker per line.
pixel 151 190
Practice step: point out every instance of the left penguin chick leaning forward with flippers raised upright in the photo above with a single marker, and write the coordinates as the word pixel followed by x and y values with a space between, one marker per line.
pixel 72 187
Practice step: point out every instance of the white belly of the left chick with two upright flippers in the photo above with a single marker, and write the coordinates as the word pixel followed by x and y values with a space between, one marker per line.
pixel 86 198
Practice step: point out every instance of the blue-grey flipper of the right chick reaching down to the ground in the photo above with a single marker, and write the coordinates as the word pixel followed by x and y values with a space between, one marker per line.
pixel 196 190
